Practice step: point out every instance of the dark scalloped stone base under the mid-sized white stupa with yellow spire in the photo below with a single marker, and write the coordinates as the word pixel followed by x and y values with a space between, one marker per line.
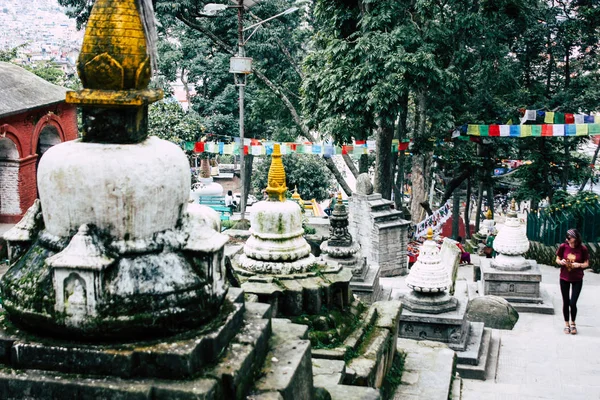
pixel 295 294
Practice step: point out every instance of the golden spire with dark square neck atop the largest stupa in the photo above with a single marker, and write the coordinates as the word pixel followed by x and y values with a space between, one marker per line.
pixel 115 67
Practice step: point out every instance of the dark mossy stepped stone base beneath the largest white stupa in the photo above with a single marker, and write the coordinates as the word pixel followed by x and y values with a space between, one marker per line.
pixel 222 362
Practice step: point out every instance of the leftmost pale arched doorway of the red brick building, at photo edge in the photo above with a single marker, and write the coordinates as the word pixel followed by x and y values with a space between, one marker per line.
pixel 10 203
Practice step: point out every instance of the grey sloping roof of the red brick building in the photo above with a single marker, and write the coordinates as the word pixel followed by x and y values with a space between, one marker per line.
pixel 21 90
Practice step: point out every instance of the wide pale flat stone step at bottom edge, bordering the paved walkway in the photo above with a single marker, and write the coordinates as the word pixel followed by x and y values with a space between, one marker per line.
pixel 428 370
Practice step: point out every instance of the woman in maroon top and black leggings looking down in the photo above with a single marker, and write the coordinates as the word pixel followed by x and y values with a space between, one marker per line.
pixel 573 257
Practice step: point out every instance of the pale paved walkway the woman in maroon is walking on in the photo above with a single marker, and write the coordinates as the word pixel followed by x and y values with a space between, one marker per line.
pixel 537 360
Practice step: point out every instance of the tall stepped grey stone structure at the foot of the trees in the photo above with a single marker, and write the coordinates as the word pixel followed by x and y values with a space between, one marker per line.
pixel 380 231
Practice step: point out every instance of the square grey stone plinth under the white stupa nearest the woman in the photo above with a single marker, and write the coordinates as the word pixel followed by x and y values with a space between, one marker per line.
pixel 520 288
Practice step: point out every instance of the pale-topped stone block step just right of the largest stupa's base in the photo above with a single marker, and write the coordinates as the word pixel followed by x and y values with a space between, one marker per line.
pixel 287 368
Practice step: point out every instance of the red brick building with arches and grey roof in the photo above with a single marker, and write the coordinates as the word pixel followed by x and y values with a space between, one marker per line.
pixel 33 118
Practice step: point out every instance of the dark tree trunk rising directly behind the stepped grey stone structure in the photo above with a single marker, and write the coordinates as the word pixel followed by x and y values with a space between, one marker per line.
pixel 383 157
